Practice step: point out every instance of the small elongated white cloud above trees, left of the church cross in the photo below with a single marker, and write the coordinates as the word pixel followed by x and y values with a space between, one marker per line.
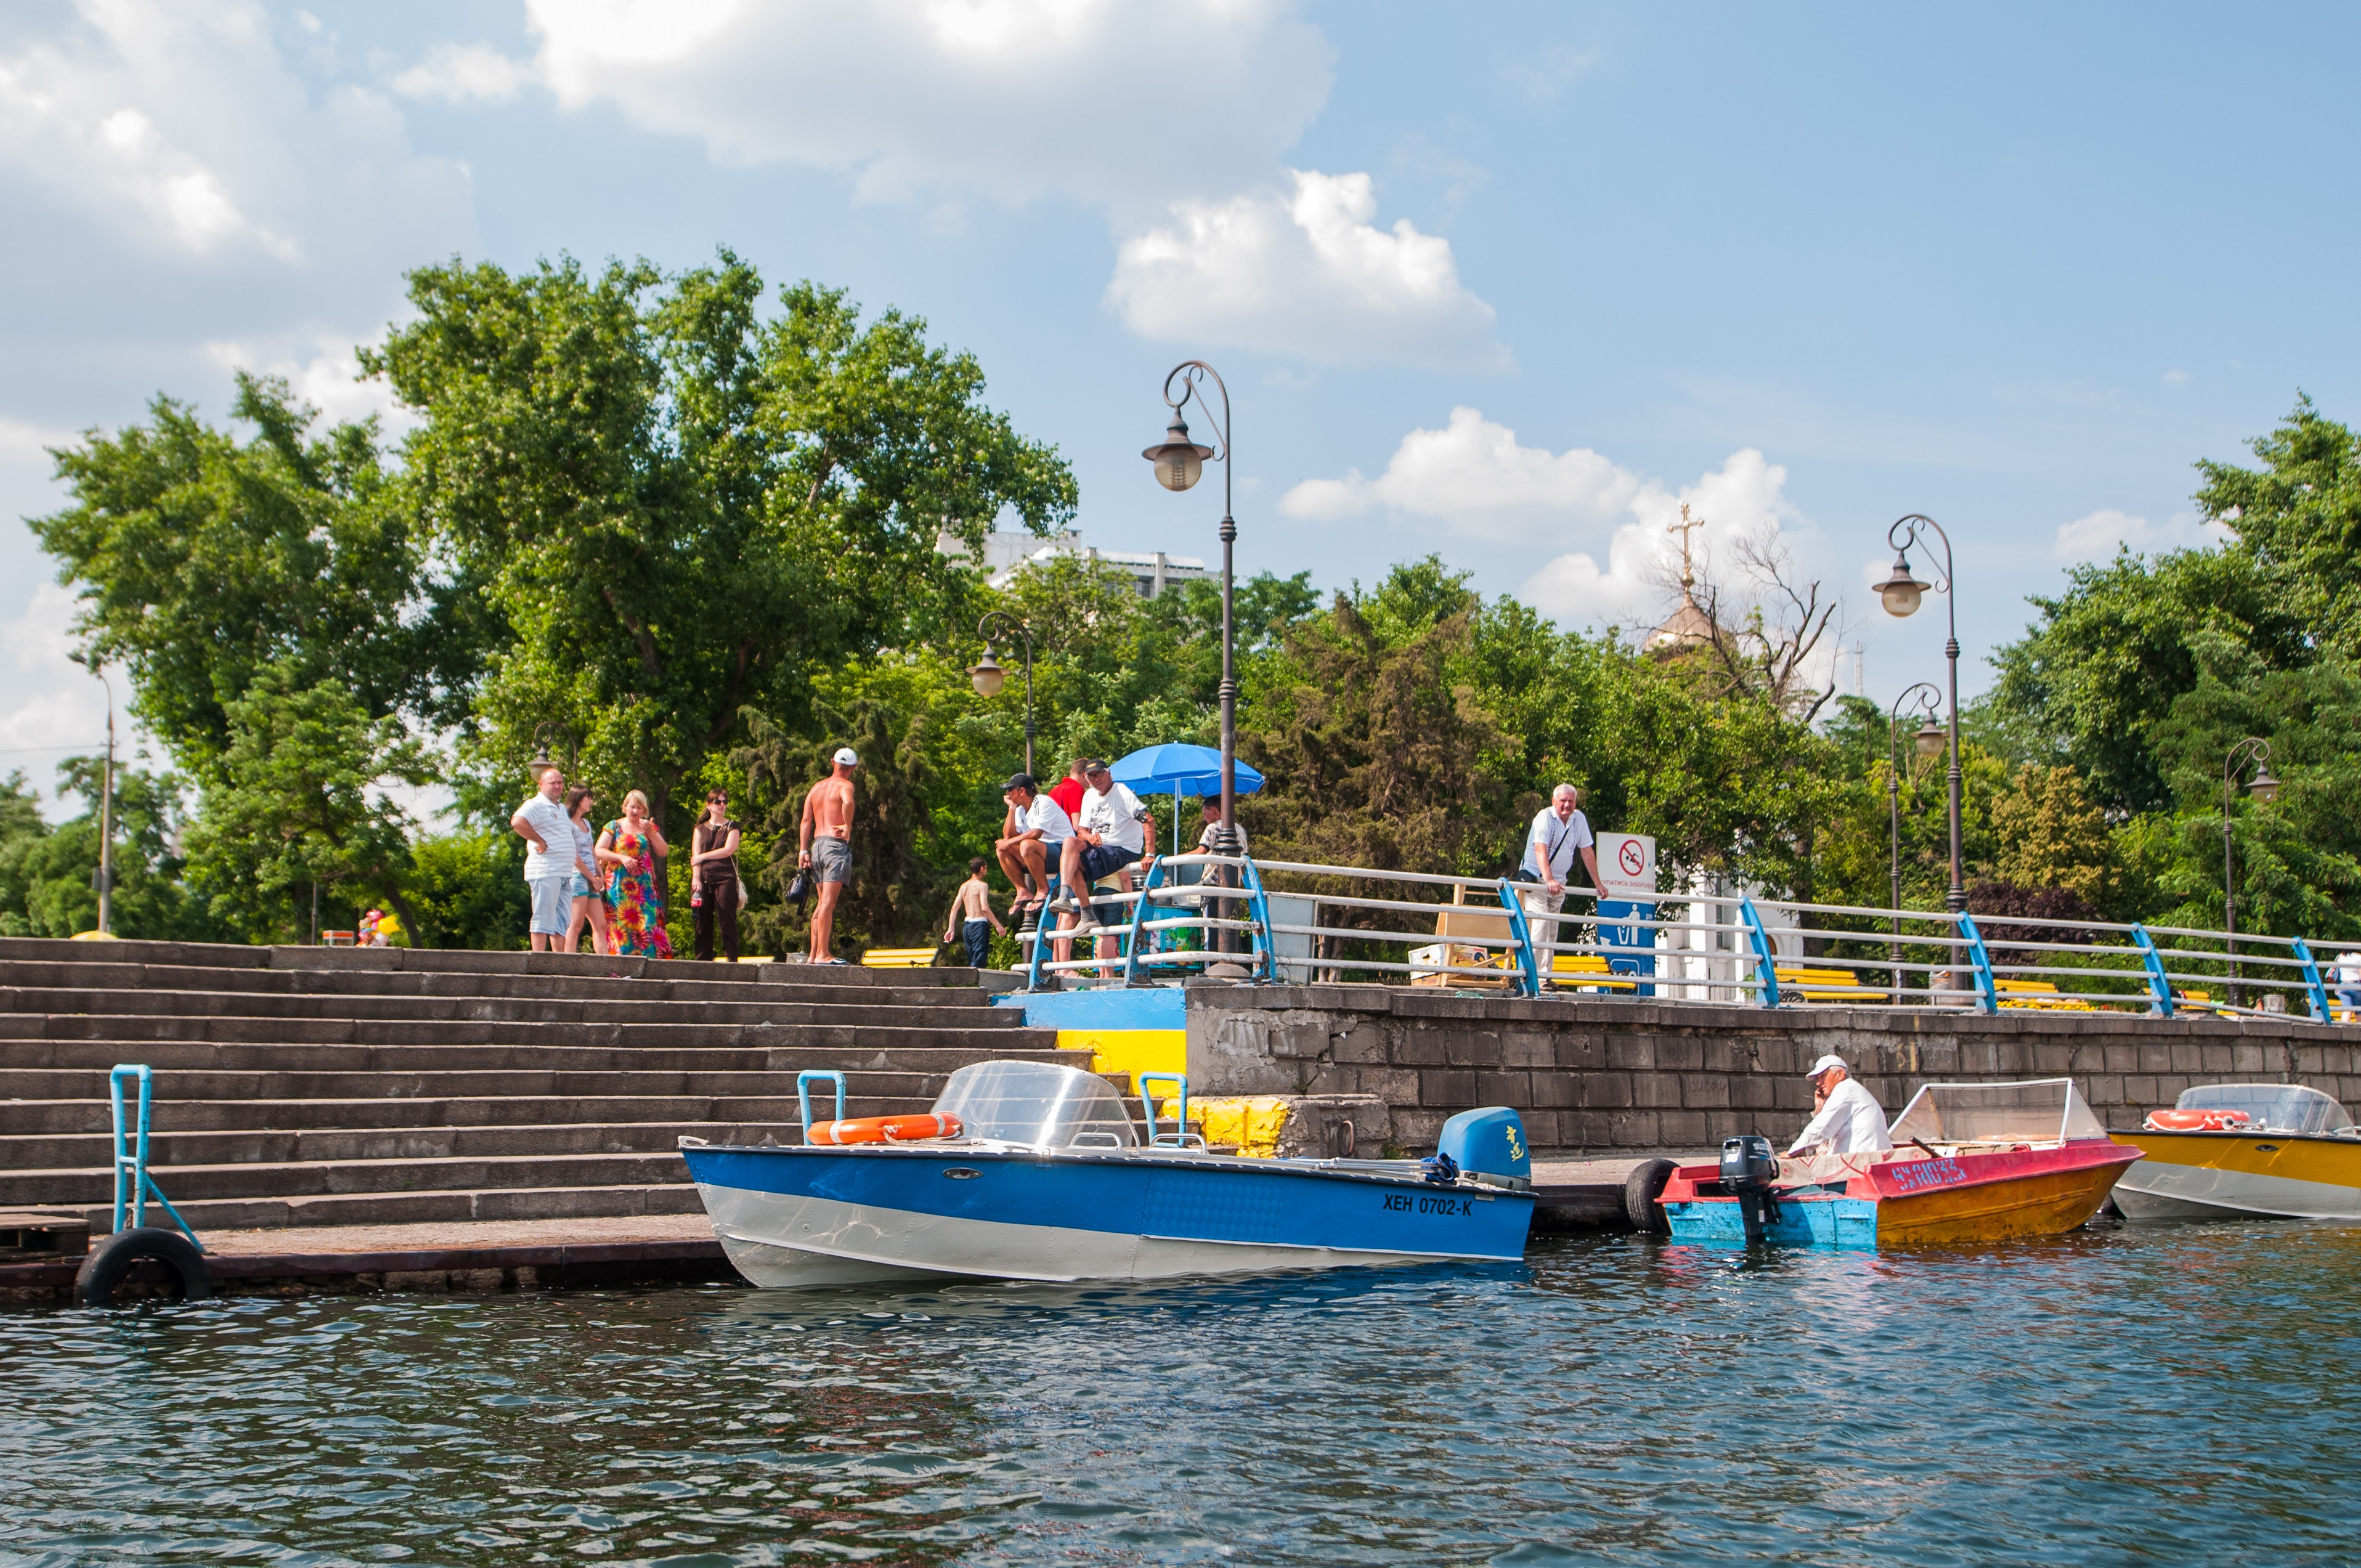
pixel 1477 478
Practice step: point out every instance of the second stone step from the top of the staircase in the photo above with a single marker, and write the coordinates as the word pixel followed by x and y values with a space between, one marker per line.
pixel 136 979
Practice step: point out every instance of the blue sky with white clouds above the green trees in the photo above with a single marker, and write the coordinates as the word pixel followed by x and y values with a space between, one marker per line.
pixel 1507 285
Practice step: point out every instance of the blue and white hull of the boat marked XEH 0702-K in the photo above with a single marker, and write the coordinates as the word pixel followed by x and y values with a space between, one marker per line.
pixel 865 1215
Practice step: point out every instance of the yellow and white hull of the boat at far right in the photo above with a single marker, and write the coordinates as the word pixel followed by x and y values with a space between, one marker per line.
pixel 2242 1175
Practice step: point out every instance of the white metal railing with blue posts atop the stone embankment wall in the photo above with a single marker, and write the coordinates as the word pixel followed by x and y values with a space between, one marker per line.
pixel 1290 922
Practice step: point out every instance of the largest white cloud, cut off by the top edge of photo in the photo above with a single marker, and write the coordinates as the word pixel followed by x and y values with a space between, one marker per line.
pixel 1012 100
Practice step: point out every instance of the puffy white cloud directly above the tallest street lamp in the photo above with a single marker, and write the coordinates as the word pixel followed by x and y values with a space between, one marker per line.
pixel 1304 275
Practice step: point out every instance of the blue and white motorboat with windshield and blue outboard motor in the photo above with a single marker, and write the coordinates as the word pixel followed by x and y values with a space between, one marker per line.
pixel 1049 1180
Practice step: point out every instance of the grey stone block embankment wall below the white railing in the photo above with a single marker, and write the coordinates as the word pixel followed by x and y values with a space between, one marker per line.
pixel 1614 1076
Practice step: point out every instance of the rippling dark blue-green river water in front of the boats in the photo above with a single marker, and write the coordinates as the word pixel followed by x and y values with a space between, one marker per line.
pixel 2119 1397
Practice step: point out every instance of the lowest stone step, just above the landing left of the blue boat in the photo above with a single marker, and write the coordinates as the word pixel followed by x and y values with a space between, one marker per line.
pixel 348 1177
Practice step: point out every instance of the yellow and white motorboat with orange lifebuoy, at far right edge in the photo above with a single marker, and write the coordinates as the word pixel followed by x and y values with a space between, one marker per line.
pixel 2277 1151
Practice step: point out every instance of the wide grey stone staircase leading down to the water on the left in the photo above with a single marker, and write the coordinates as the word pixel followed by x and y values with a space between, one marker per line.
pixel 372 1087
